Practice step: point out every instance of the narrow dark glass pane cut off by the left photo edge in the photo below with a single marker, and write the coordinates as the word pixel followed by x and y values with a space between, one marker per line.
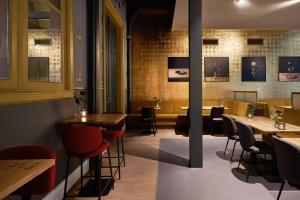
pixel 4 40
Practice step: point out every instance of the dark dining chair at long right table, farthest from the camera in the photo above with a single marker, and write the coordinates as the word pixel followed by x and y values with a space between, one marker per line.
pixel 230 129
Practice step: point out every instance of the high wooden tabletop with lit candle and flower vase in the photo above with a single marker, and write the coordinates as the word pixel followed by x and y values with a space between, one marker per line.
pixel 94 119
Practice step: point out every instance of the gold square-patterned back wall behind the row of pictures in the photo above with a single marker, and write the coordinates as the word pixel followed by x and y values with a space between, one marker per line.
pixel 152 45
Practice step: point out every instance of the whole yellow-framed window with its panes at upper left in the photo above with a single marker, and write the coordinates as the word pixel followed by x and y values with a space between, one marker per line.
pixel 36 50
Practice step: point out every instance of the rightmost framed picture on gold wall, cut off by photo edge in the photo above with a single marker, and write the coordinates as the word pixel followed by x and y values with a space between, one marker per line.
pixel 289 69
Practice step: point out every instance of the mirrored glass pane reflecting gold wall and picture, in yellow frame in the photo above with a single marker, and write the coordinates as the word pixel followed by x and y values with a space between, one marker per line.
pixel 44 41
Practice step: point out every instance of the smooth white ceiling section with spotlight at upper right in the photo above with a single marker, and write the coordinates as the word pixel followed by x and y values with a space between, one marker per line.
pixel 249 14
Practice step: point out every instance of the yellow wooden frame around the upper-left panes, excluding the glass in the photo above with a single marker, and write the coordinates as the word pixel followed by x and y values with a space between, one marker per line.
pixel 18 89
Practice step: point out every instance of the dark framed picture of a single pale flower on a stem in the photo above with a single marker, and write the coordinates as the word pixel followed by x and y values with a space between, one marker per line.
pixel 254 69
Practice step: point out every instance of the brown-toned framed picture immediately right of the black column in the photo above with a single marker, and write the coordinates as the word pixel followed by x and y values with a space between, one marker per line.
pixel 216 69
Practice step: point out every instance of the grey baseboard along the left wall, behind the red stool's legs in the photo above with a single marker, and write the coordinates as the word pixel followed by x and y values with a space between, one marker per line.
pixel 58 191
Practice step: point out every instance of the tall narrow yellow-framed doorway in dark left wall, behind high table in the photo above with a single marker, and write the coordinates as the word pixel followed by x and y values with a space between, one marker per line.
pixel 113 49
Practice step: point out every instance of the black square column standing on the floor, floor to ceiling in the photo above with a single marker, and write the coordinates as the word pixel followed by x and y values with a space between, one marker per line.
pixel 195 84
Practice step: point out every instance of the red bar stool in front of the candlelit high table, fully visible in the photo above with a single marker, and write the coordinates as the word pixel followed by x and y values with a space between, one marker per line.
pixel 85 142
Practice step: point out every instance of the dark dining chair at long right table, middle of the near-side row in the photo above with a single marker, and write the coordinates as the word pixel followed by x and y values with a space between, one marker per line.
pixel 250 145
